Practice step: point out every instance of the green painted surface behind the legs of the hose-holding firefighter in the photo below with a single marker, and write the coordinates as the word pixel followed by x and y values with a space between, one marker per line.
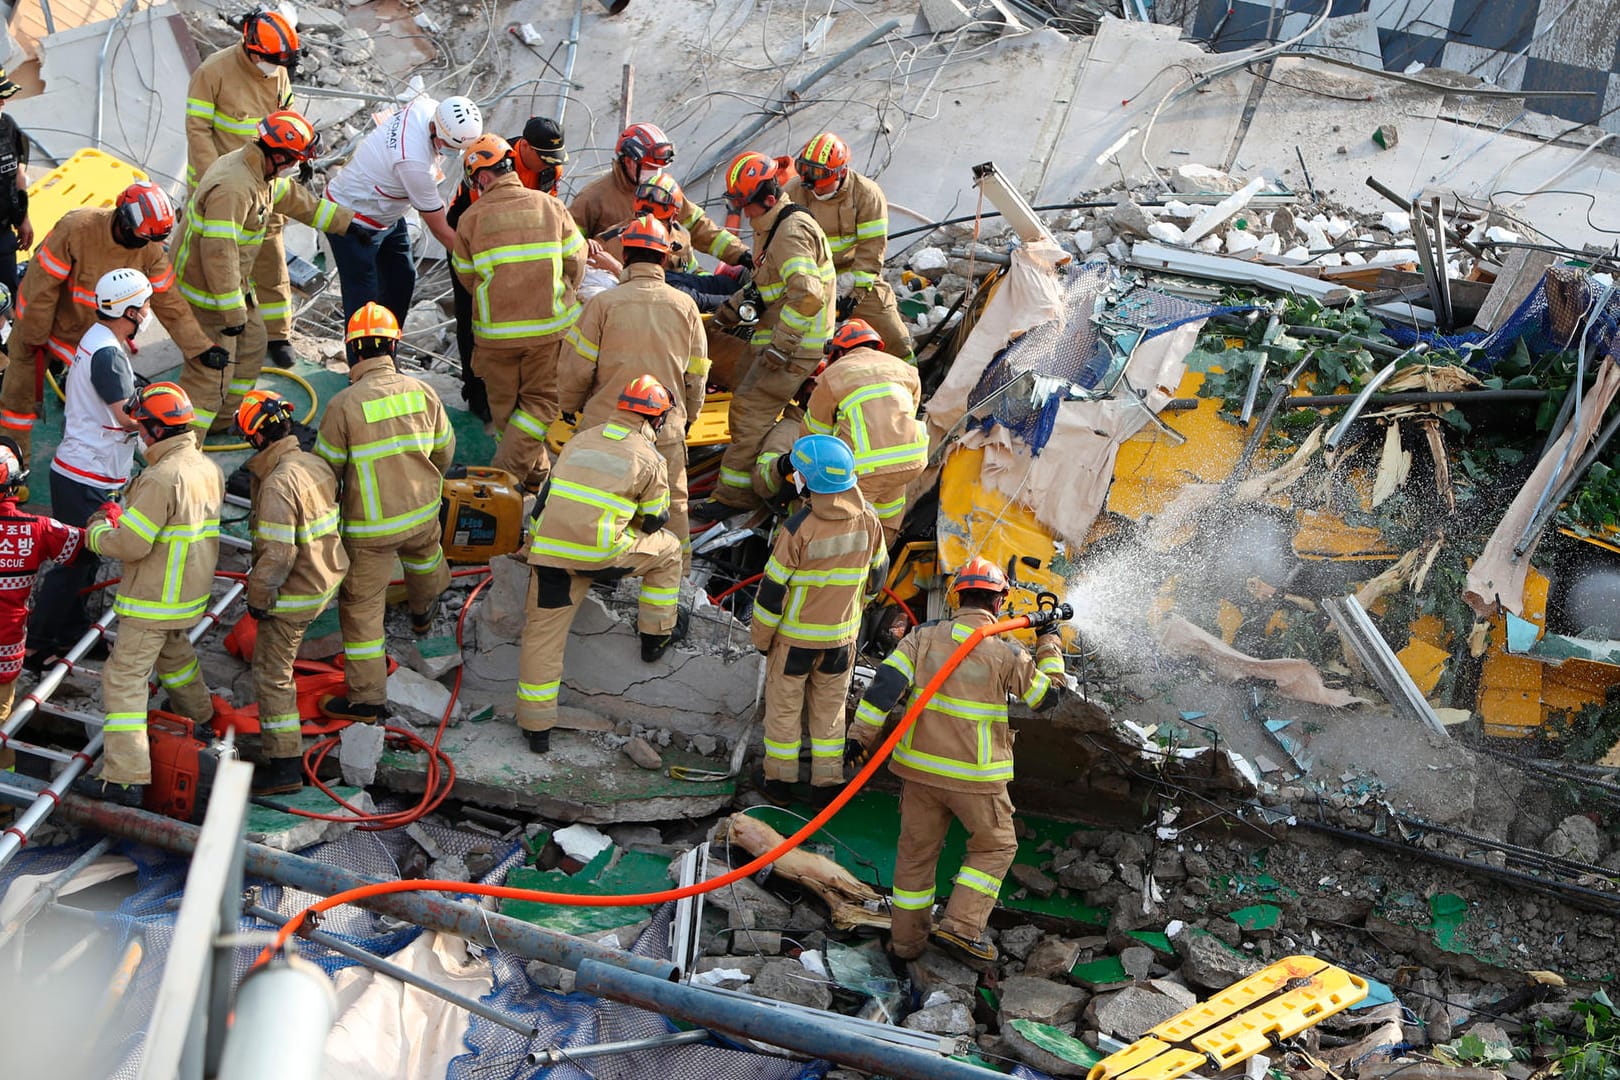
pixel 864 835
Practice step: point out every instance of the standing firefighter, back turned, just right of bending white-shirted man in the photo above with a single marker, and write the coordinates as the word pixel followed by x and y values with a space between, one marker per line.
pixel 522 258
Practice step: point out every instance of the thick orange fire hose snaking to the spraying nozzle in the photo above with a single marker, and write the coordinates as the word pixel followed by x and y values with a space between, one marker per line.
pixel 639 899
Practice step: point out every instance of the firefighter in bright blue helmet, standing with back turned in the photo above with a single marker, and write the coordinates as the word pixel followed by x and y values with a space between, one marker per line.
pixel 827 563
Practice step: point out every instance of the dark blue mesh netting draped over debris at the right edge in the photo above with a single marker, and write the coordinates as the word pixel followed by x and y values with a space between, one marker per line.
pixel 1551 320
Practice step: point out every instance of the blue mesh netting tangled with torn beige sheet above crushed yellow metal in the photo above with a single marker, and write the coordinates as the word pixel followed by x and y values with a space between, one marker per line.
pixel 1104 318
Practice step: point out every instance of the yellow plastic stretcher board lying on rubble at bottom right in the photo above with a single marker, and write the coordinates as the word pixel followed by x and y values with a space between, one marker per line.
pixel 1237 1024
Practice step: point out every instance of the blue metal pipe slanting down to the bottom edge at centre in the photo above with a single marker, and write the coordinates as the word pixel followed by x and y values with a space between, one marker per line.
pixel 829 1037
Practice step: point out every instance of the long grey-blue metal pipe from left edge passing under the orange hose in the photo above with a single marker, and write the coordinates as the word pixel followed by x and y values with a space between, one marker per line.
pixel 425 909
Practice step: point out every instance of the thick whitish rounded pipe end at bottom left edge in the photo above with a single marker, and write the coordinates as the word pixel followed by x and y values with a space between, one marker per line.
pixel 284 1014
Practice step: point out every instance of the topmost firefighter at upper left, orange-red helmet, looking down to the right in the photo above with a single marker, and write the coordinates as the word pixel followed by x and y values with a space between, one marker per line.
pixel 229 95
